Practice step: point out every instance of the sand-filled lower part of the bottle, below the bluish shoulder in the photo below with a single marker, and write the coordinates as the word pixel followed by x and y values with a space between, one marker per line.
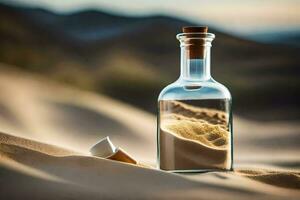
pixel 194 135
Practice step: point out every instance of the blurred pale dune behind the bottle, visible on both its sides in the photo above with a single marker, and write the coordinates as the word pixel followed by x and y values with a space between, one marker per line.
pixel 39 109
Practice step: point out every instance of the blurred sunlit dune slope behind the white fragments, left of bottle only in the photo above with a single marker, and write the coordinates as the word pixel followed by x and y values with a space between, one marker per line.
pixel 42 110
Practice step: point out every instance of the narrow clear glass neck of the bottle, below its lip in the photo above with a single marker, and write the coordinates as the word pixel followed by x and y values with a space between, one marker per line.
pixel 195 68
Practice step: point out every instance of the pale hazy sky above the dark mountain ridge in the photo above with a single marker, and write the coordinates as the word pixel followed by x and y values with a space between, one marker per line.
pixel 244 16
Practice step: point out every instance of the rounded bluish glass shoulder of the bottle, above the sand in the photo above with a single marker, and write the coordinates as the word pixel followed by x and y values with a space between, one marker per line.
pixel 184 90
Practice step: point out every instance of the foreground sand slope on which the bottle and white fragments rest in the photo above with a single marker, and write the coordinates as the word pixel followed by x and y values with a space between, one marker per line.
pixel 45 170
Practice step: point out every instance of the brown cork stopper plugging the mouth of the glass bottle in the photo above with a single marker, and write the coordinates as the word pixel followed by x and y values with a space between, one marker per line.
pixel 195 47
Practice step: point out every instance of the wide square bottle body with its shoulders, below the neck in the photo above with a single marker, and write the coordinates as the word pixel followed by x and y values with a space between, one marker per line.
pixel 194 127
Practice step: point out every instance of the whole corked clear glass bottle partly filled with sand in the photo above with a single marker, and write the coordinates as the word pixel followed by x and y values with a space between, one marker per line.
pixel 194 131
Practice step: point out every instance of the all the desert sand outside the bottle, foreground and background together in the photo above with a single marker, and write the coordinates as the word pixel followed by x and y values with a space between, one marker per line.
pixel 47 129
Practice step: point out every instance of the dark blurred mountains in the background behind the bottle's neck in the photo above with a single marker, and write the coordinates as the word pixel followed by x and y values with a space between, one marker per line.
pixel 133 58
